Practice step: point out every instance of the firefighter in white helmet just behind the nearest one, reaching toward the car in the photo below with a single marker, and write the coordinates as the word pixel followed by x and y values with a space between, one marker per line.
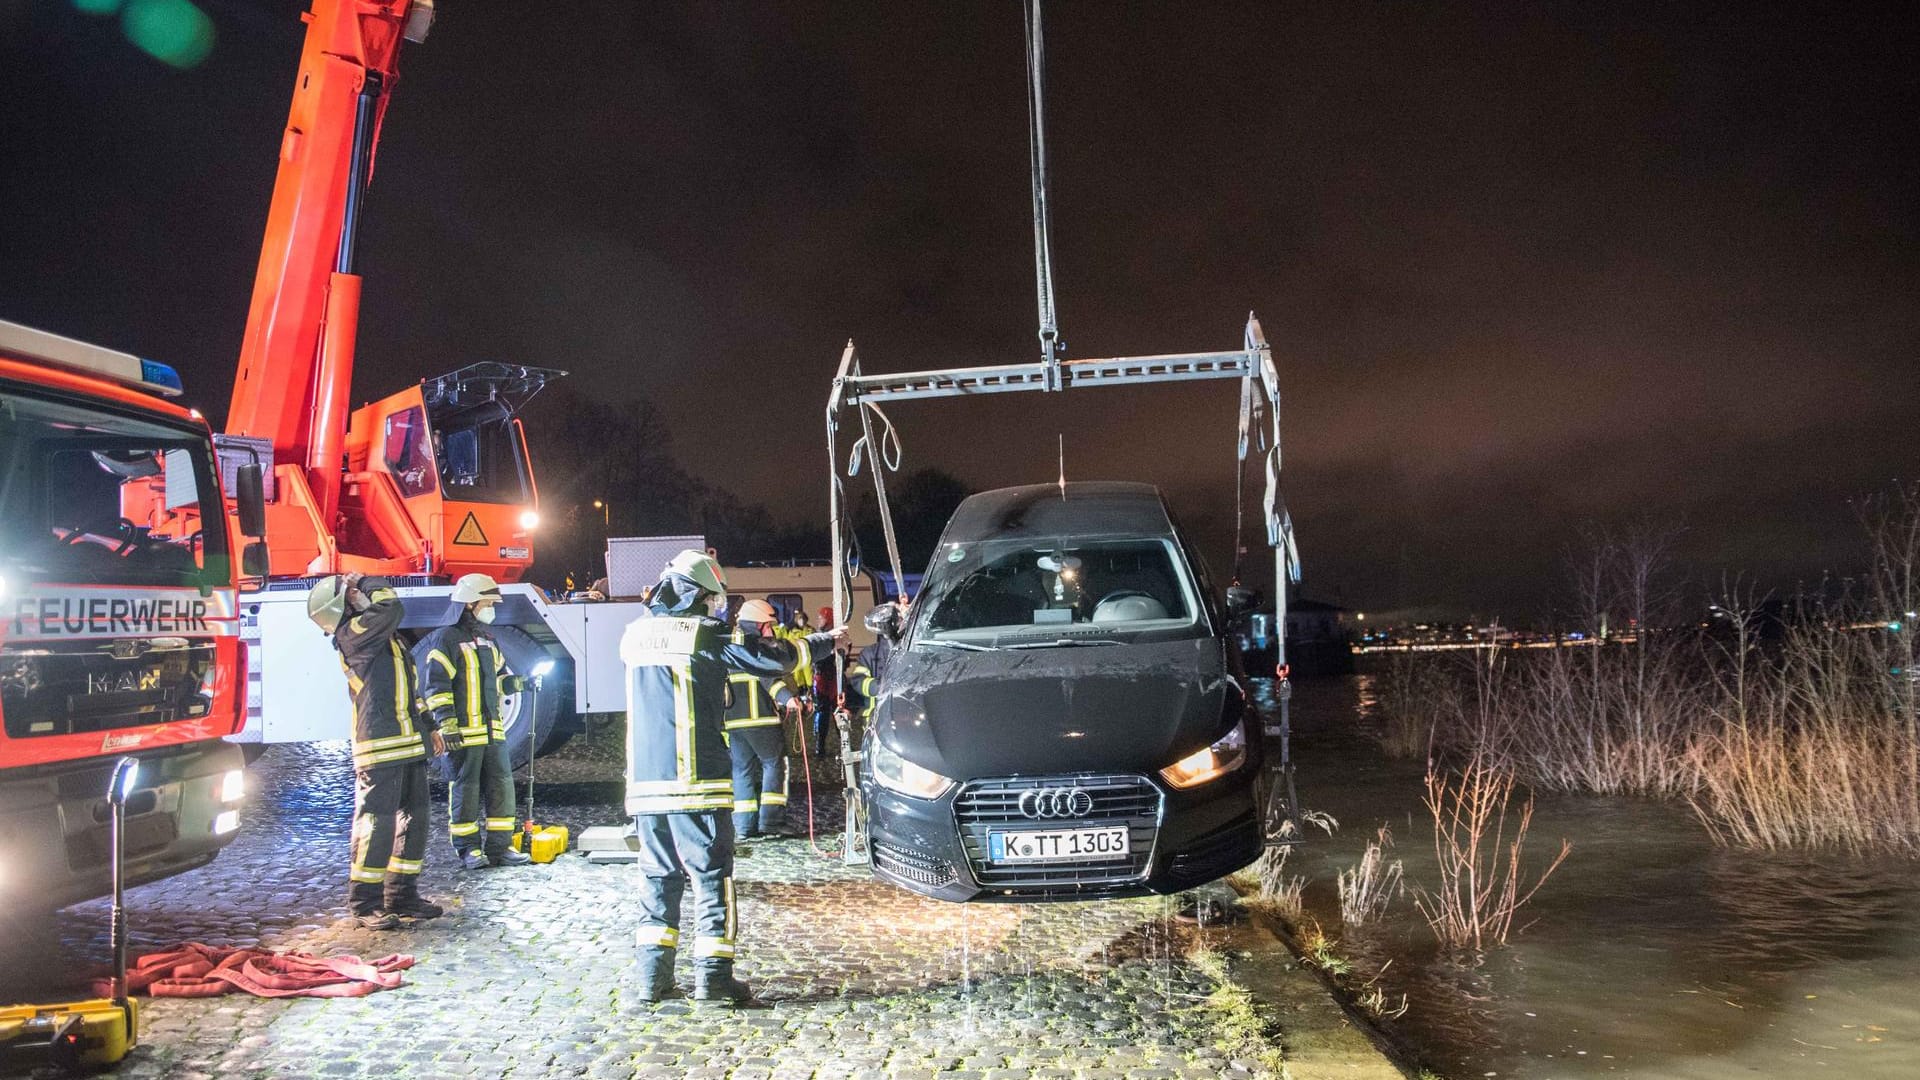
pixel 754 725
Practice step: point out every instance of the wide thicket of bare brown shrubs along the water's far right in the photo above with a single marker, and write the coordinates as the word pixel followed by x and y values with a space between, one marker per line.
pixel 1781 725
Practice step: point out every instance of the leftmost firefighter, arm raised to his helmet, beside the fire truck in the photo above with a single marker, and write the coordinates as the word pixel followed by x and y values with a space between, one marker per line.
pixel 391 814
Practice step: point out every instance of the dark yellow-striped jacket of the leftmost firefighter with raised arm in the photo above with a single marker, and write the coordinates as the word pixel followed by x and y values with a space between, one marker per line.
pixel 381 679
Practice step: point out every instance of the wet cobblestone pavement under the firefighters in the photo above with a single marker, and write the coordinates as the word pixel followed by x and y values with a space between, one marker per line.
pixel 531 971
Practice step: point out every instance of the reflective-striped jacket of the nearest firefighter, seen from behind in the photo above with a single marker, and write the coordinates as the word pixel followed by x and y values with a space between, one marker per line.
pixel 677 675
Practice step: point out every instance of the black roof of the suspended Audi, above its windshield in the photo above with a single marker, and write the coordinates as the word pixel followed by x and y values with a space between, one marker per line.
pixel 1084 508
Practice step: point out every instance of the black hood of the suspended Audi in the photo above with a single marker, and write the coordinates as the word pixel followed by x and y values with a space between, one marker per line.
pixel 1130 708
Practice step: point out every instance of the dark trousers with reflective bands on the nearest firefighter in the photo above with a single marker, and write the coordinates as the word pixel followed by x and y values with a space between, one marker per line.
pixel 677 848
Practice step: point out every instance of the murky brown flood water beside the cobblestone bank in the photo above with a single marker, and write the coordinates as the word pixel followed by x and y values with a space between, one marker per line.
pixel 1652 952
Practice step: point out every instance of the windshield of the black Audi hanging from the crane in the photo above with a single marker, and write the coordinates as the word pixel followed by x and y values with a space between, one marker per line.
pixel 1057 593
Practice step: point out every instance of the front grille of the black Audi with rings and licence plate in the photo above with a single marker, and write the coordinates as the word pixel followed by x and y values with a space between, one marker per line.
pixel 994 806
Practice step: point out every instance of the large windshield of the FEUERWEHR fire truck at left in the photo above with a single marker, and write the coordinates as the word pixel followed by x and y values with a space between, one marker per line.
pixel 97 497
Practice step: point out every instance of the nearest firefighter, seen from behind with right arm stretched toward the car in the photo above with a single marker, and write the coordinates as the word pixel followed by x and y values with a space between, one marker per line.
pixel 679 772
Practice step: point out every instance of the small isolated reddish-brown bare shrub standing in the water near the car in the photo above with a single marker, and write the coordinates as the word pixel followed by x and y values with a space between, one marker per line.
pixel 1479 860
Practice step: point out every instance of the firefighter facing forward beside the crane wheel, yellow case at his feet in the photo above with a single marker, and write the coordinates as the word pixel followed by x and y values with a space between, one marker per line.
pixel 466 675
